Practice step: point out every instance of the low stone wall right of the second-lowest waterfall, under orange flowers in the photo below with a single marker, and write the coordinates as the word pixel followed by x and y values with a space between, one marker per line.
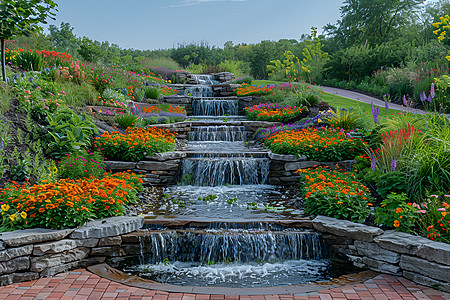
pixel 283 167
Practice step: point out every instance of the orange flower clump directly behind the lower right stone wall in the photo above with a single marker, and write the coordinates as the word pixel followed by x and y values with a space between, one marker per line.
pixel 335 194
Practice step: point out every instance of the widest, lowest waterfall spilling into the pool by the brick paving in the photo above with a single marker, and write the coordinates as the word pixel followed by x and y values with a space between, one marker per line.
pixel 236 246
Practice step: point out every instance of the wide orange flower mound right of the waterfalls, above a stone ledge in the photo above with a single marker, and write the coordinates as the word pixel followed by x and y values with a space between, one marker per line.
pixel 317 144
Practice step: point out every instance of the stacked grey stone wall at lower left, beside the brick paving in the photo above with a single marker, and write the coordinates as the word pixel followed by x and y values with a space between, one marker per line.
pixel 33 253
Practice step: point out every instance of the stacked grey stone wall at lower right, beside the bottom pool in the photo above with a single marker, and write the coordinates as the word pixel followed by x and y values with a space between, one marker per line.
pixel 416 258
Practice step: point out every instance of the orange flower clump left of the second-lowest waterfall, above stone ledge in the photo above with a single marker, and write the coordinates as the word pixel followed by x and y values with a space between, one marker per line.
pixel 136 143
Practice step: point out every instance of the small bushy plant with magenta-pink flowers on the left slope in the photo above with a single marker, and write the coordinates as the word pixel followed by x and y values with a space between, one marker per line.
pixel 81 164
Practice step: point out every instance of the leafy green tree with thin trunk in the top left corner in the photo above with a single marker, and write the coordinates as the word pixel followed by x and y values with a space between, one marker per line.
pixel 21 17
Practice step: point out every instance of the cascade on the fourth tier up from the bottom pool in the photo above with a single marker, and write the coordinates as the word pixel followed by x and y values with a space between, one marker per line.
pixel 215 107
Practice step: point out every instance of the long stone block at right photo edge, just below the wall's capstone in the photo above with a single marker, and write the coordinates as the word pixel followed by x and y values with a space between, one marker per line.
pixel 426 268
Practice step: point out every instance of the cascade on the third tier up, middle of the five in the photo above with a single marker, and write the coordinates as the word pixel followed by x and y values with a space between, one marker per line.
pixel 217 133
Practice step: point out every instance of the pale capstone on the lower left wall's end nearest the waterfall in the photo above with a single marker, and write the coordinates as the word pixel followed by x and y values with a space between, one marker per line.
pixel 107 227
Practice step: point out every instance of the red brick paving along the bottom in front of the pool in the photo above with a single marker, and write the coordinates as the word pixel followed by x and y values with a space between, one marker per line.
pixel 83 285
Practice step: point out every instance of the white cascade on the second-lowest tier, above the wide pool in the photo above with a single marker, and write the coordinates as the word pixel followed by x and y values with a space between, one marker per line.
pixel 215 171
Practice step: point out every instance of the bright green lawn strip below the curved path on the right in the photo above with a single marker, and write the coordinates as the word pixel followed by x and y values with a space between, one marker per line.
pixel 364 108
